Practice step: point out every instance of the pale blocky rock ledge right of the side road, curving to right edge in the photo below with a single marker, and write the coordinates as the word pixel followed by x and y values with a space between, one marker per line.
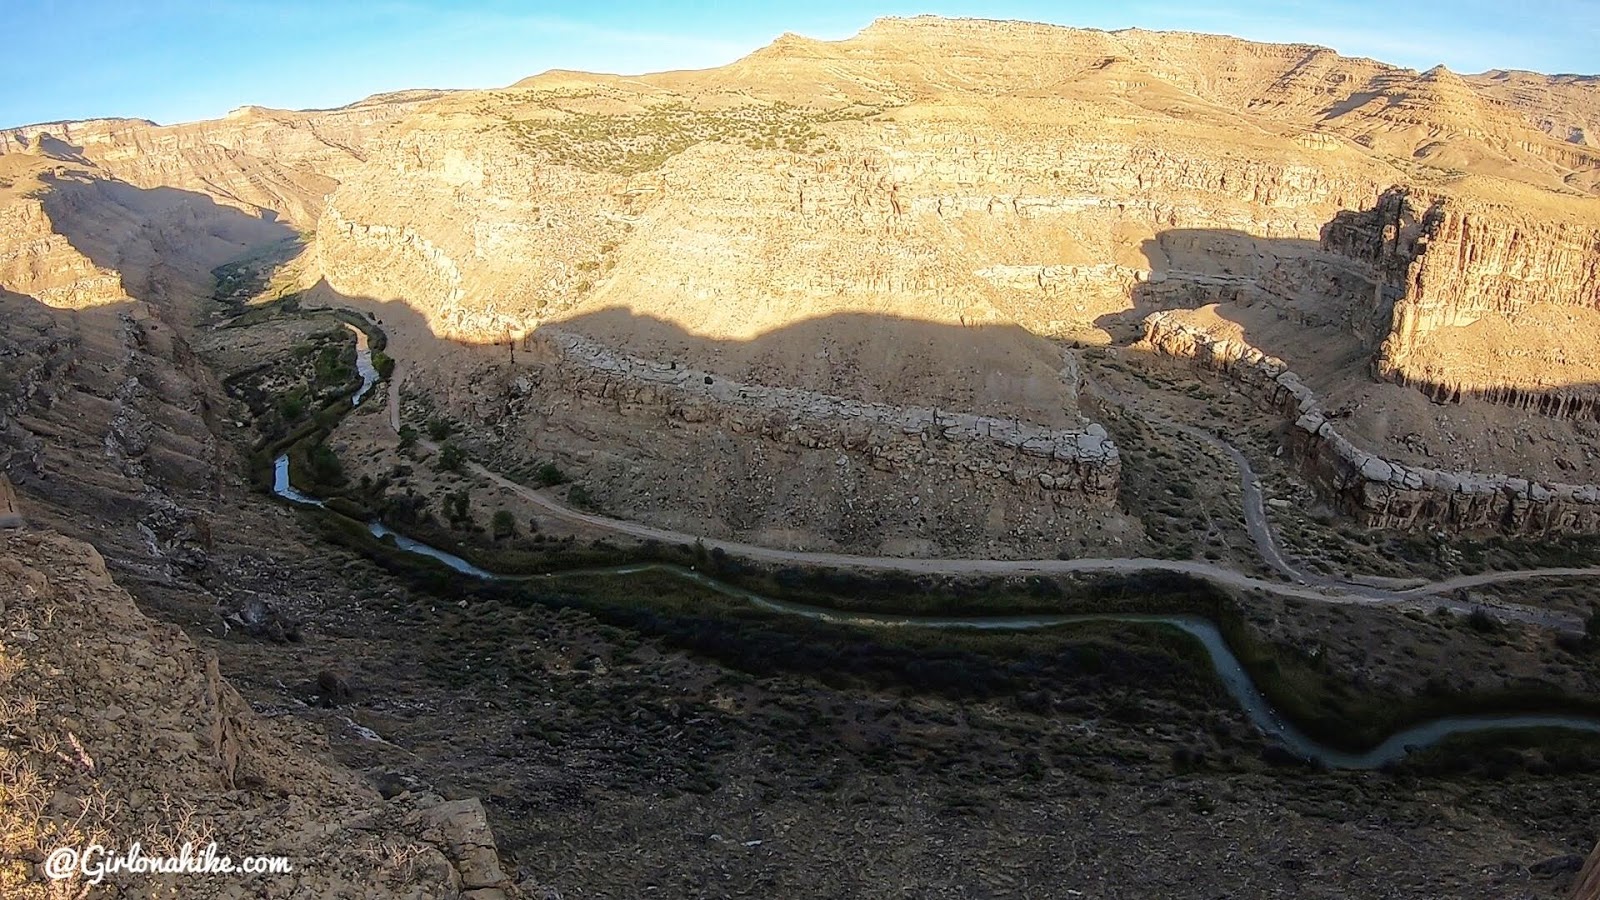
pixel 1366 486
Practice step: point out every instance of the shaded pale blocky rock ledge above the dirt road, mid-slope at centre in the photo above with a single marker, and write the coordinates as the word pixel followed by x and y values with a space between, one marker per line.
pixel 1066 462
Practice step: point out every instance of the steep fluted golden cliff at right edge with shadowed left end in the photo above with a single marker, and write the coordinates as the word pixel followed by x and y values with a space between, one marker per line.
pixel 1482 302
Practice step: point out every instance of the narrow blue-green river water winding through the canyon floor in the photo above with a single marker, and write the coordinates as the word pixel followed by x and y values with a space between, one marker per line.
pixel 1228 667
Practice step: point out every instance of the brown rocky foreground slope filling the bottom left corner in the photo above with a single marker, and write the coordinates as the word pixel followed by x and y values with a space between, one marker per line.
pixel 119 731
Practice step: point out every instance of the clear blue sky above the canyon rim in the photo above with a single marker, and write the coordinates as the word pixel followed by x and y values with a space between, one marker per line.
pixel 182 60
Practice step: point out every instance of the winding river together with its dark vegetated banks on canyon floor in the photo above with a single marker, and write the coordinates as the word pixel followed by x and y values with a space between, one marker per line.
pixel 1286 694
